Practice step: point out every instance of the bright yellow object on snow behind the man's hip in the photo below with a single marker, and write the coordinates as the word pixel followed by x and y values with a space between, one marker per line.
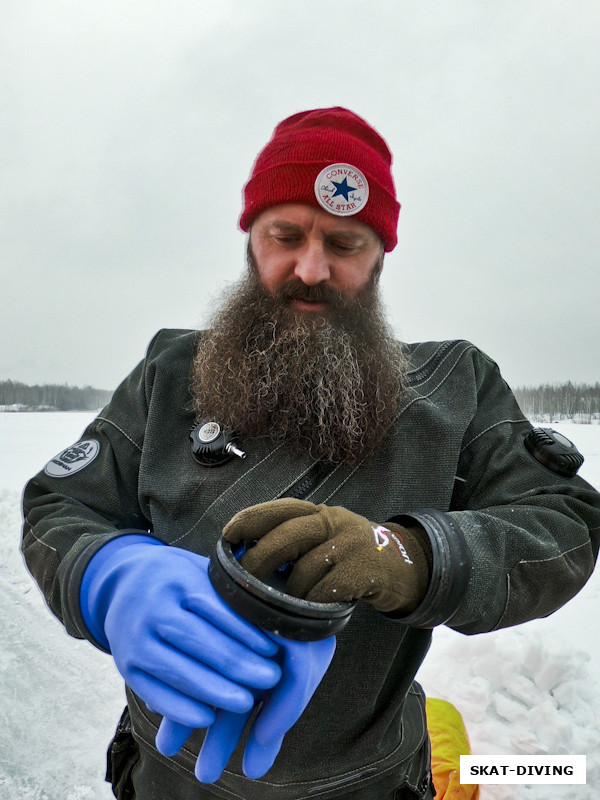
pixel 449 741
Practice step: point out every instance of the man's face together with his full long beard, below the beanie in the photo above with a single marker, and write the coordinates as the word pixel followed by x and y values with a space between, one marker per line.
pixel 301 350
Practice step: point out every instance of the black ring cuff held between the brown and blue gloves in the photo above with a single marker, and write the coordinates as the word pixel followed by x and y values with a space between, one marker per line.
pixel 267 605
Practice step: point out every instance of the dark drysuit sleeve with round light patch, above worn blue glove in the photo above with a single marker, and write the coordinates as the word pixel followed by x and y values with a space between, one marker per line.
pixel 86 496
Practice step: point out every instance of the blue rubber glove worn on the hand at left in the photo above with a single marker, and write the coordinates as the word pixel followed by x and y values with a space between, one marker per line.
pixel 180 648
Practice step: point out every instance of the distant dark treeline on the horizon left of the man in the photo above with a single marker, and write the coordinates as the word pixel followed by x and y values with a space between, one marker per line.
pixel 51 397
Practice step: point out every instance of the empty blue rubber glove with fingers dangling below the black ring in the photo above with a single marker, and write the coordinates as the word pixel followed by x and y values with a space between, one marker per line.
pixel 303 666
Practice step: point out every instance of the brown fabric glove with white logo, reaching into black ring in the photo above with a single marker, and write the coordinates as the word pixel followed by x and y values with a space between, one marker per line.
pixel 339 556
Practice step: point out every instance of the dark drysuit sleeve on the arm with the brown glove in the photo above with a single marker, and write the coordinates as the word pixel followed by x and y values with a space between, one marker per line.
pixel 519 540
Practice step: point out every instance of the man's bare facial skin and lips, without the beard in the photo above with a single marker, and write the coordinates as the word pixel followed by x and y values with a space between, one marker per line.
pixel 296 242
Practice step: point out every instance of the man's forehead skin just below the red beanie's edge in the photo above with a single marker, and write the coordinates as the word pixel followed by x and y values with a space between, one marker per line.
pixel 307 218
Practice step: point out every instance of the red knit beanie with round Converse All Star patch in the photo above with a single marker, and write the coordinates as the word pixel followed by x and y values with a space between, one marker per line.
pixel 329 158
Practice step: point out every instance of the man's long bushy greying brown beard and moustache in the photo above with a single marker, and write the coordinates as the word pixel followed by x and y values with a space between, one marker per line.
pixel 329 385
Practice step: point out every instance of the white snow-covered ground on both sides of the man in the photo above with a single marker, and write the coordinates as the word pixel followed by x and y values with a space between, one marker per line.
pixel 534 689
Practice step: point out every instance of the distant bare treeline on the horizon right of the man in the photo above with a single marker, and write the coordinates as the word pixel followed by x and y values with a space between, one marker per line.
pixel 577 402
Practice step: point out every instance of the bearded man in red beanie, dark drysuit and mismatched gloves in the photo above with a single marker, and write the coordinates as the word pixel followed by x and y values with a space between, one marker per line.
pixel 400 480
